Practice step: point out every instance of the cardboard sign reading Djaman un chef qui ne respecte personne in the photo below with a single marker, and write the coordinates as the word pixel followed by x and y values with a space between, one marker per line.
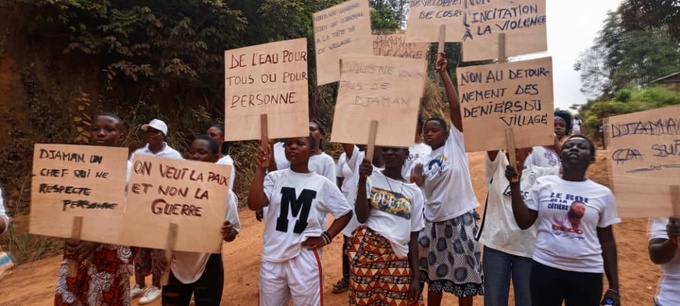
pixel 74 180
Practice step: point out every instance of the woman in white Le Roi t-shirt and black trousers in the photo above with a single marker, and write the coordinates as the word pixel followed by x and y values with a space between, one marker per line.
pixel 575 240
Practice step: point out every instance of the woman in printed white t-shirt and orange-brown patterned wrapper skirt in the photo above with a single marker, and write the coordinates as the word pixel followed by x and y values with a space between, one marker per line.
pixel 384 250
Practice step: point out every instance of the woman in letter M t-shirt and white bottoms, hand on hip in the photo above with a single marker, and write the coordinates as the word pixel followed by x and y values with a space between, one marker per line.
pixel 297 200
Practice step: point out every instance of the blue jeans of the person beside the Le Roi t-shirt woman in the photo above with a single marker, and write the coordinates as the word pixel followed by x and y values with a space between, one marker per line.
pixel 499 267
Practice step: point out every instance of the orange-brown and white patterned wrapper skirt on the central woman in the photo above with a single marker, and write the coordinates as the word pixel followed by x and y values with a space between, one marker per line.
pixel 377 275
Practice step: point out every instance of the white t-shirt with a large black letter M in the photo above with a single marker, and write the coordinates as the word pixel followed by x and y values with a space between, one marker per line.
pixel 298 203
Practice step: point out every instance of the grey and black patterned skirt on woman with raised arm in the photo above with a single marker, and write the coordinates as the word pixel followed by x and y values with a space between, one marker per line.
pixel 450 257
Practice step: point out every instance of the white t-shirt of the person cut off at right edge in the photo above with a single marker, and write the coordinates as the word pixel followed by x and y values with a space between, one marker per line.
pixel 669 284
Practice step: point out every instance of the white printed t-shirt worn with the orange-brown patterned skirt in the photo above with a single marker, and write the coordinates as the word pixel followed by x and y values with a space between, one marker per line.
pixel 396 210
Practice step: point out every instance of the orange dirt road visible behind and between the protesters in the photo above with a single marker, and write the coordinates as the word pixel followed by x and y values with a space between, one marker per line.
pixel 33 283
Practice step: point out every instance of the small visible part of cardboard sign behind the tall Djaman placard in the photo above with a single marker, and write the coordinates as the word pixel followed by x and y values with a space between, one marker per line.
pixel 396 45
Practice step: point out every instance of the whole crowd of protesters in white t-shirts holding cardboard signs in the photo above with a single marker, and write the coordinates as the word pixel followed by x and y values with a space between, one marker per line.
pixel 408 217
